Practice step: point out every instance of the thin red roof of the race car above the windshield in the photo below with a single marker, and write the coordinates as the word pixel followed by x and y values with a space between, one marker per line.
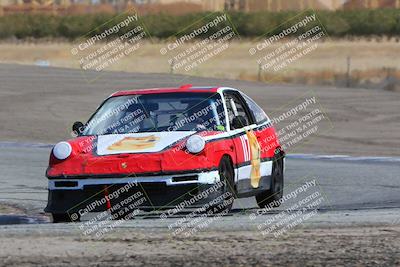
pixel 186 88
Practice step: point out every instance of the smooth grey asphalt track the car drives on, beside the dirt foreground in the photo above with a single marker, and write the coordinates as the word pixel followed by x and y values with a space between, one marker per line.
pixel 347 183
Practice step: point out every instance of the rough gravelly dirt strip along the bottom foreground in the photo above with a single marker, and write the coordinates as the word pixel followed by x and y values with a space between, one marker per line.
pixel 361 246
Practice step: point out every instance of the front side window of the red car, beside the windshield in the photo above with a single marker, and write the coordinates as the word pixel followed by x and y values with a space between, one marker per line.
pixel 237 115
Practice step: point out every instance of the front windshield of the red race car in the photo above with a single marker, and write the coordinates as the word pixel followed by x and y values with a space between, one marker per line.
pixel 158 113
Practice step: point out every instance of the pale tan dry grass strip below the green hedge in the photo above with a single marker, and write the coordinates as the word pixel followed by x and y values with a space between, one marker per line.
pixel 371 61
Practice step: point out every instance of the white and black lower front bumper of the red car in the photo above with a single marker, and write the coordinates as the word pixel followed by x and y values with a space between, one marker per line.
pixel 154 192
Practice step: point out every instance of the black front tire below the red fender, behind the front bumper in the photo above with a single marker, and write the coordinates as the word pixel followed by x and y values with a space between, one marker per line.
pixel 226 173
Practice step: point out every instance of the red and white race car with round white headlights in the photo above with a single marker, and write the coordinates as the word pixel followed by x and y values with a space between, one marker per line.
pixel 166 148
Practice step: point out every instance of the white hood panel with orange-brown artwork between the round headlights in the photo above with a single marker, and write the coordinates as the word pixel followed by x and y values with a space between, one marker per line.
pixel 138 142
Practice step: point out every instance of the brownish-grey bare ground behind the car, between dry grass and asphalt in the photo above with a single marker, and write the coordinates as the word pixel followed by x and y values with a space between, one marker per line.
pixel 40 104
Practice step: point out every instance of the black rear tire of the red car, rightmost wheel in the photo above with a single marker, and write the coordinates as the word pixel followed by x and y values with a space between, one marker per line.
pixel 271 197
